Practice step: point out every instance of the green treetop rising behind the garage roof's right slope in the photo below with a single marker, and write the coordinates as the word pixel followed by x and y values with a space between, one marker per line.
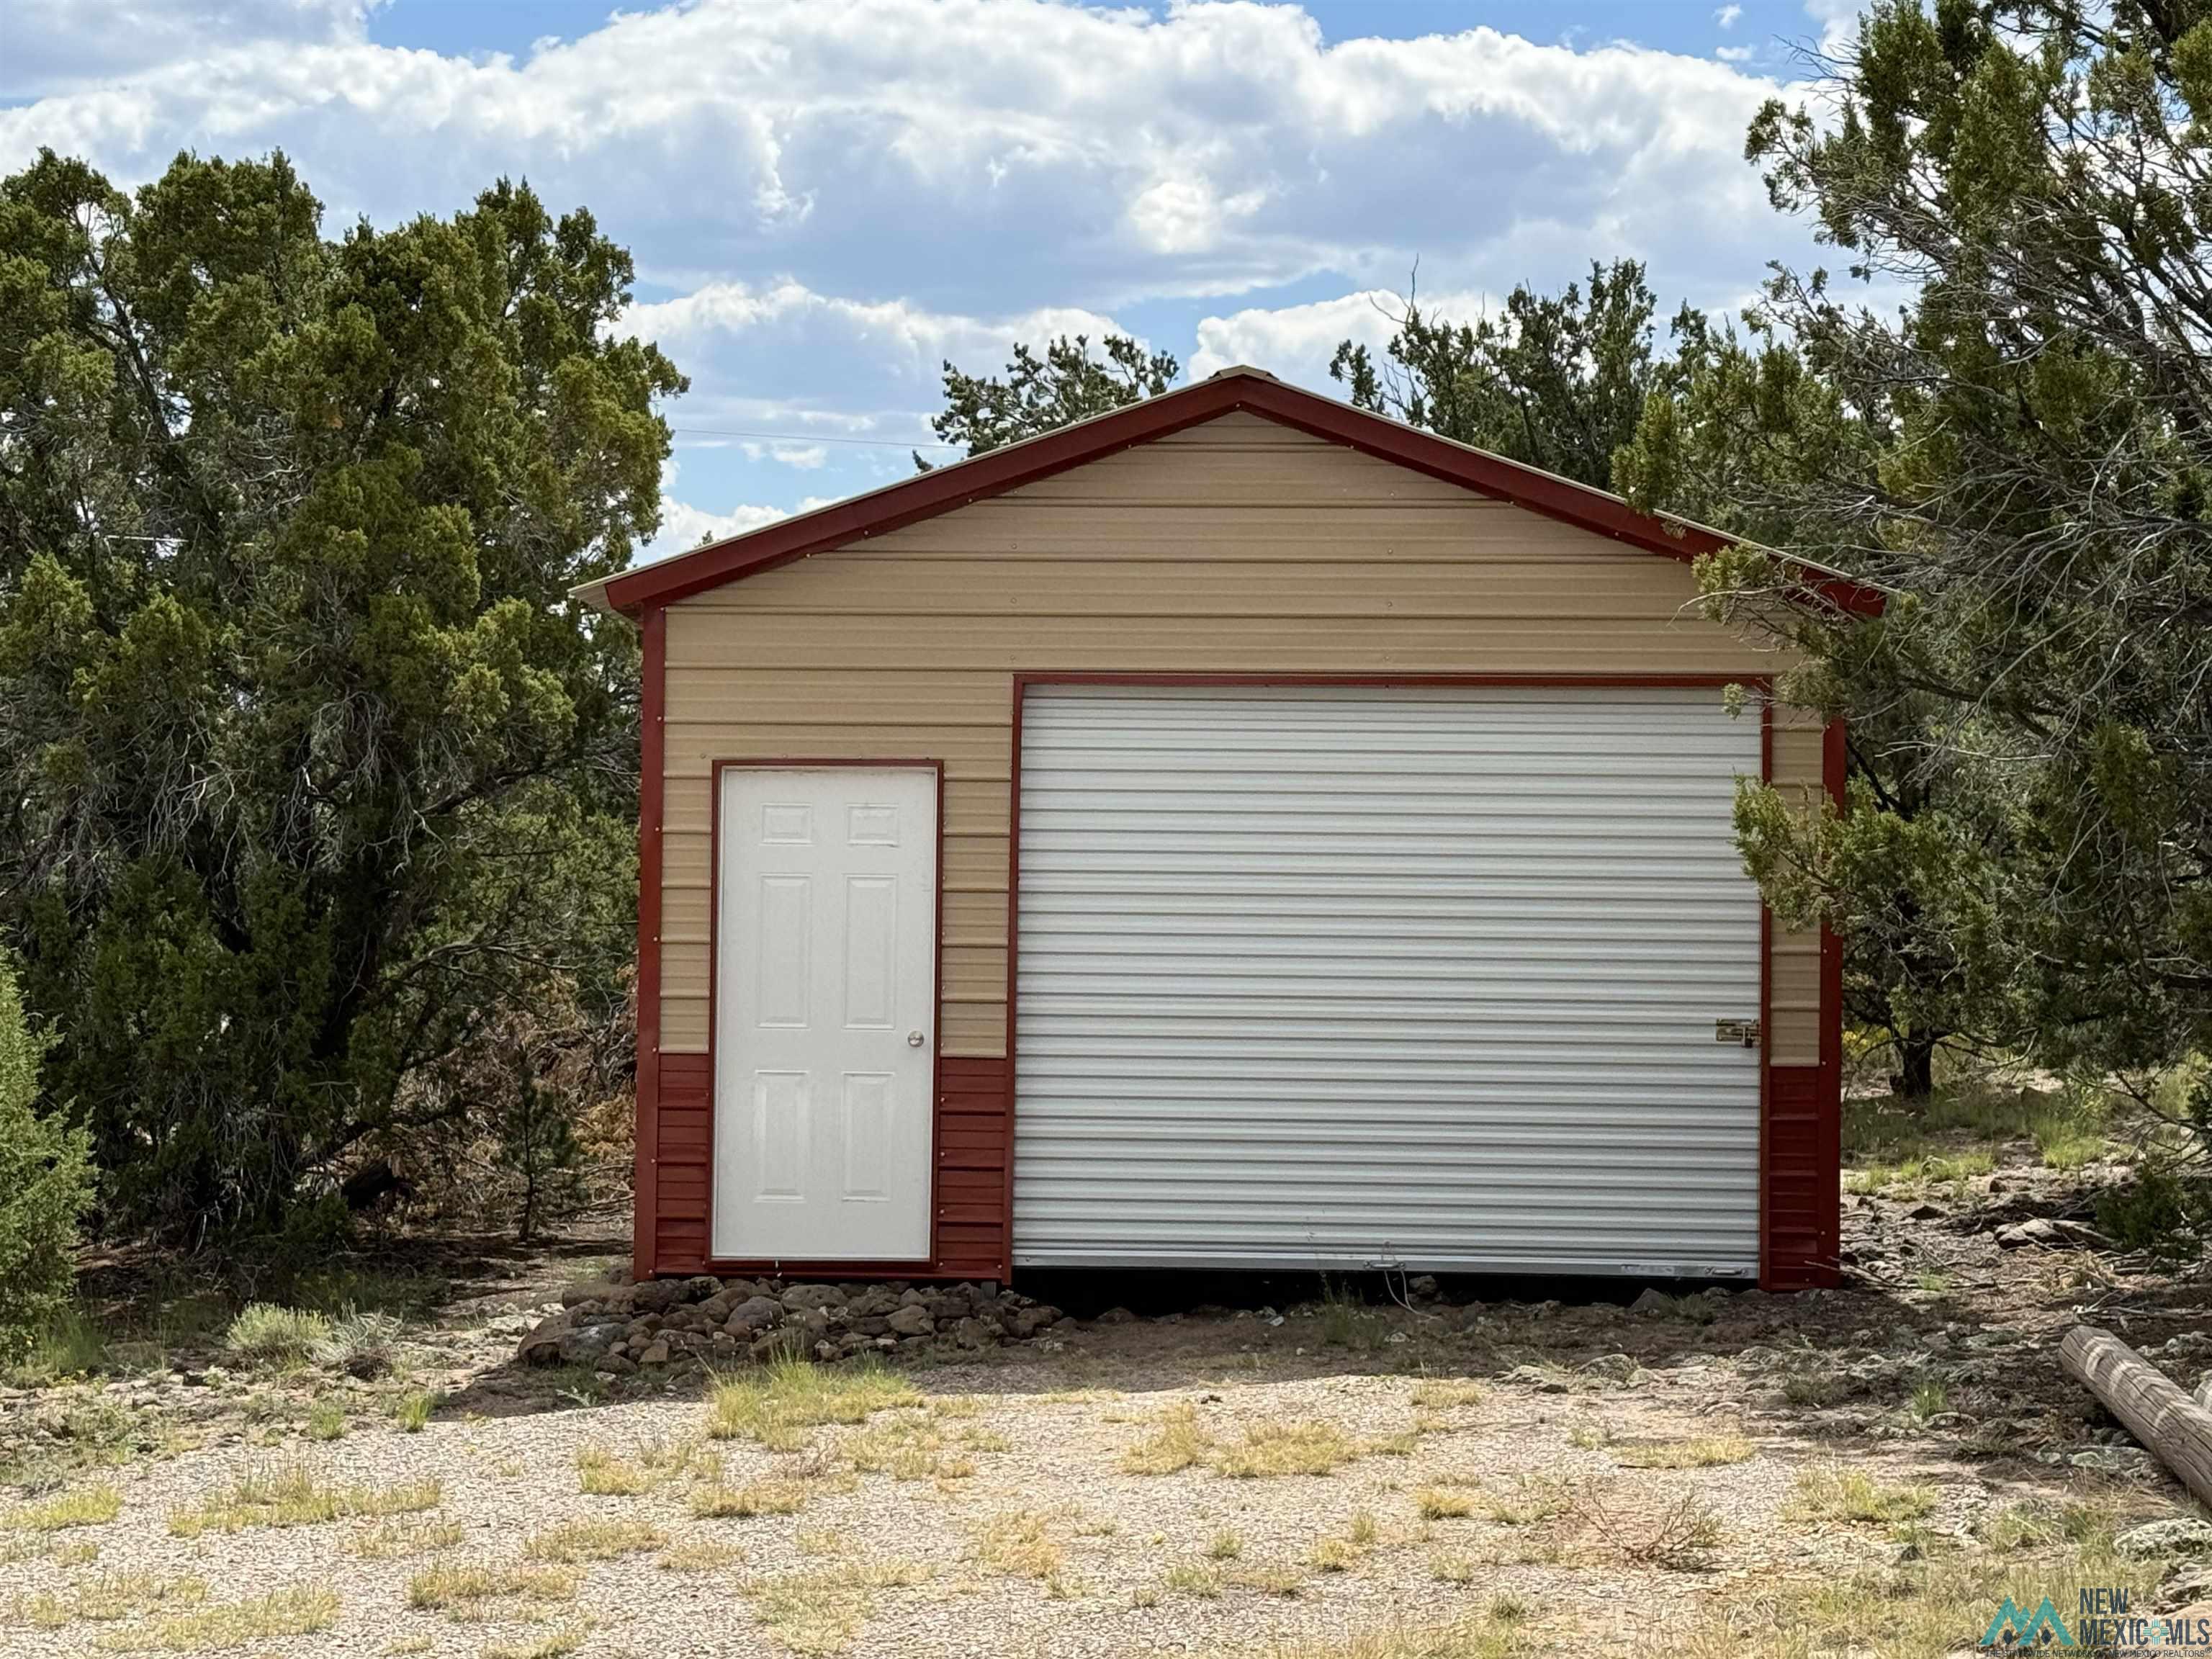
pixel 1556 382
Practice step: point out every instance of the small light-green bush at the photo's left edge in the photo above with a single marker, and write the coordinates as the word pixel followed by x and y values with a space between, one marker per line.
pixel 45 1185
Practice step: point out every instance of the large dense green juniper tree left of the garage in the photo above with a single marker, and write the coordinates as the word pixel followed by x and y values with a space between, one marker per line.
pixel 309 764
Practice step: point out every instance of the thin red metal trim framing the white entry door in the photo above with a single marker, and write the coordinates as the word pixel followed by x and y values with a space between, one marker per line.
pixel 924 1266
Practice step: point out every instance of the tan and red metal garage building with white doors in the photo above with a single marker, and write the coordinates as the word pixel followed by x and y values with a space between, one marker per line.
pixel 1240 831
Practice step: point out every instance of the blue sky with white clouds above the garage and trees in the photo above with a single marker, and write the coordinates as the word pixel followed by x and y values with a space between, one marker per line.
pixel 831 198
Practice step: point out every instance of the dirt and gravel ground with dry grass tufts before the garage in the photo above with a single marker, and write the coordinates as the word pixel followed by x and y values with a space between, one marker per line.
pixel 1870 1470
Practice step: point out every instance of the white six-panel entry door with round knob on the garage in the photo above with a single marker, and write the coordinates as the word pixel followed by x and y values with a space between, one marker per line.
pixel 826 1014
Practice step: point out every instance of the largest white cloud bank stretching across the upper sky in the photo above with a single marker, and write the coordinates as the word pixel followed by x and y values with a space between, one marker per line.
pixel 1036 149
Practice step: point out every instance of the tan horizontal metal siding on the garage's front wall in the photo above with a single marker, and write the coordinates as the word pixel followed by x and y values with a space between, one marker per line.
pixel 1231 547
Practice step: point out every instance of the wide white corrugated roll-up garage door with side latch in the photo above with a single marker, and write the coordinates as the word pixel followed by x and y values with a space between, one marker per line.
pixel 1348 977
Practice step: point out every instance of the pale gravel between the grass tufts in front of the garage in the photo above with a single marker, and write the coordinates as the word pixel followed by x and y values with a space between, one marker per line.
pixel 1123 1534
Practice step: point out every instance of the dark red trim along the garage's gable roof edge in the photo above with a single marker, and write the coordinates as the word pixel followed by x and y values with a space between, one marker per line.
pixel 1242 388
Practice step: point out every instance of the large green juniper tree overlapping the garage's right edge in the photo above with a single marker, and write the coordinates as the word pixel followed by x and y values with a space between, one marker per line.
pixel 2018 455
